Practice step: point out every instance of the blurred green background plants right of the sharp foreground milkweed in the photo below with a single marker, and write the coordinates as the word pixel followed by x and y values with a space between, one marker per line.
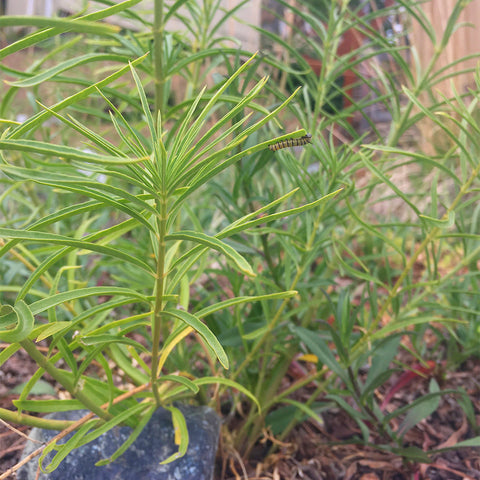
pixel 360 292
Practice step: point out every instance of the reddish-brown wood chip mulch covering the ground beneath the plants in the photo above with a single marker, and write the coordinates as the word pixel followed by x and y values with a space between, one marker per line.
pixel 322 452
